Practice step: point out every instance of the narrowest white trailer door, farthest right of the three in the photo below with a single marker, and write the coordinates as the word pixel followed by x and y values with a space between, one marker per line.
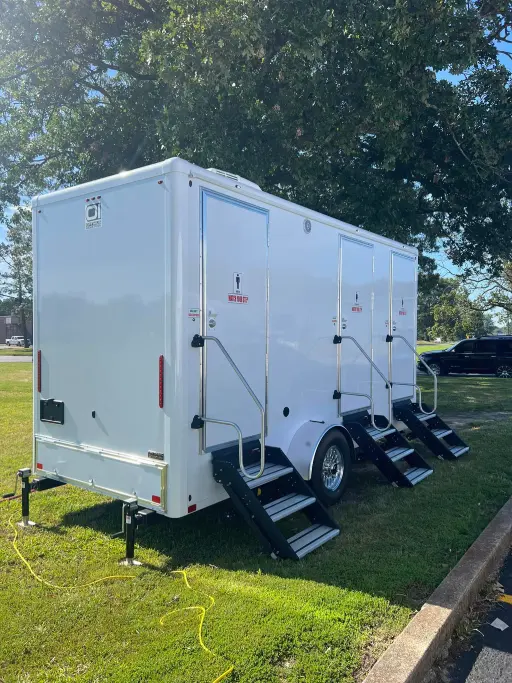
pixel 403 293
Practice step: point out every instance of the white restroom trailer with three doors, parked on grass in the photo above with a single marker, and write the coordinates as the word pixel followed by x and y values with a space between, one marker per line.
pixel 141 282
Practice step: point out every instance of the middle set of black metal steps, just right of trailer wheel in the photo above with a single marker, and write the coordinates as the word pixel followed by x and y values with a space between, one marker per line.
pixel 386 449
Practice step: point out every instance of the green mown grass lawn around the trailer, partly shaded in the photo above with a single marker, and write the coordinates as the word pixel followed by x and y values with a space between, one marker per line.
pixel 320 620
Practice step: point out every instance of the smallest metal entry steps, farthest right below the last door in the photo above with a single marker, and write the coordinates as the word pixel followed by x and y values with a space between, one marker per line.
pixel 431 430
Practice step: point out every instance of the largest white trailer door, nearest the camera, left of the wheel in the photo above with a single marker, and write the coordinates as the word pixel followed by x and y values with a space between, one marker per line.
pixel 235 256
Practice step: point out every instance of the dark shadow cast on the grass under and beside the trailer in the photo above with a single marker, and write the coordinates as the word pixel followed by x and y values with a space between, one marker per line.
pixel 394 543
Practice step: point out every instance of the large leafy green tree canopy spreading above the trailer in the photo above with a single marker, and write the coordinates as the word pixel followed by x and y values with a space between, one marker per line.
pixel 333 105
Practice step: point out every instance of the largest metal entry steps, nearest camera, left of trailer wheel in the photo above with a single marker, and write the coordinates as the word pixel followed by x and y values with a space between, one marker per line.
pixel 277 494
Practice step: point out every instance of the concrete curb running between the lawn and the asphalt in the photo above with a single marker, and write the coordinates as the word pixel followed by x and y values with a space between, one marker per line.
pixel 410 656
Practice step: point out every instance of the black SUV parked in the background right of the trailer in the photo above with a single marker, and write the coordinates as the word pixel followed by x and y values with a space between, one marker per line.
pixel 491 355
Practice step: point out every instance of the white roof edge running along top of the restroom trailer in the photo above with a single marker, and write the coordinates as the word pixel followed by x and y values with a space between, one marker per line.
pixel 224 180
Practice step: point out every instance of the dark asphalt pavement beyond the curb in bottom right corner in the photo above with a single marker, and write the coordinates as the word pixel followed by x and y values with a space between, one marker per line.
pixel 490 658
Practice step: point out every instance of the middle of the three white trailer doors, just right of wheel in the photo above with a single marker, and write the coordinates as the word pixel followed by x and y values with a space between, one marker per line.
pixel 356 321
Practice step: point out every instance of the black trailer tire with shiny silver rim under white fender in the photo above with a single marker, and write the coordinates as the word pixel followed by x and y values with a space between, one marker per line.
pixel 325 493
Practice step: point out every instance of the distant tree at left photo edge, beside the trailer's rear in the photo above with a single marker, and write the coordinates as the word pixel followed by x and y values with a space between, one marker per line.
pixel 16 257
